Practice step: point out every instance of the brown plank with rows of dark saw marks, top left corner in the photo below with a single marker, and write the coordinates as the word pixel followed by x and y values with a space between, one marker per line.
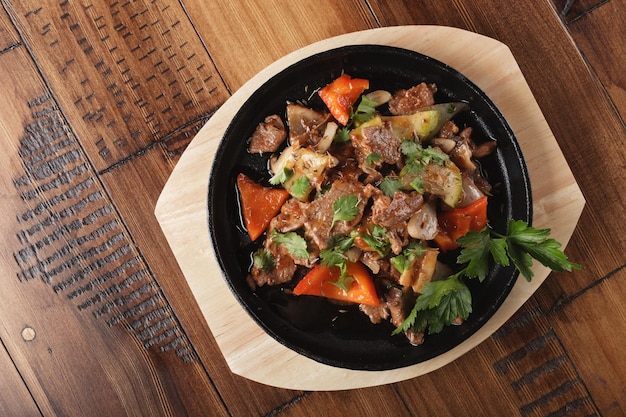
pixel 135 74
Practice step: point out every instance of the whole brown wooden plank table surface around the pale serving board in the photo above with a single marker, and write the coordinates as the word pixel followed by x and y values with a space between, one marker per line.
pixel 100 99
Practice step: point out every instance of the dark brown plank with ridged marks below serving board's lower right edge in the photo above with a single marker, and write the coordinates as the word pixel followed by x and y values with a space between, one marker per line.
pixel 522 359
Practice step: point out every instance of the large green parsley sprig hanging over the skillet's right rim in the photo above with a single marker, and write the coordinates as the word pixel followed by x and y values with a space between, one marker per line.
pixel 443 302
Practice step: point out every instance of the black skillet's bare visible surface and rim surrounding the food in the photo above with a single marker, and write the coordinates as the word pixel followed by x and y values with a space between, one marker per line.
pixel 338 335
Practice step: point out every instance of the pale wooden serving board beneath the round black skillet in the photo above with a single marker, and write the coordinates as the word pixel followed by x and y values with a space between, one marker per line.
pixel 182 208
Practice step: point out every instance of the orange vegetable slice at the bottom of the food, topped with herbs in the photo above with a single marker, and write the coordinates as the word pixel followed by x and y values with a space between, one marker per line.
pixel 320 282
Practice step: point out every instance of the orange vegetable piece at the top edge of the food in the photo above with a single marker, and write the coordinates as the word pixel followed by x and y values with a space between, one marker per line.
pixel 341 94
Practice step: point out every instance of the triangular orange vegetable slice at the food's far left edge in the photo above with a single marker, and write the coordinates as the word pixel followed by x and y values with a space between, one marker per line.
pixel 259 204
